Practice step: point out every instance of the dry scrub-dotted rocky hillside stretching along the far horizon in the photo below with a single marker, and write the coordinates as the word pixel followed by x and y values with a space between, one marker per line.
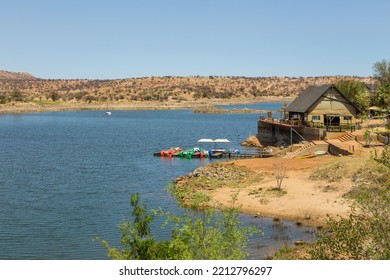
pixel 24 87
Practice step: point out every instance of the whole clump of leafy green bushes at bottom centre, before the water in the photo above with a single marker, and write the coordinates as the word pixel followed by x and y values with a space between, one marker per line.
pixel 209 234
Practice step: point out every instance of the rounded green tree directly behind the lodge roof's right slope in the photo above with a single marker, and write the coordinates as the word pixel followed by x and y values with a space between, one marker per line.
pixel 355 91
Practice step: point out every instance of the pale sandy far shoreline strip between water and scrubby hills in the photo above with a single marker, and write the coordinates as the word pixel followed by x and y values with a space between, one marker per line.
pixel 33 107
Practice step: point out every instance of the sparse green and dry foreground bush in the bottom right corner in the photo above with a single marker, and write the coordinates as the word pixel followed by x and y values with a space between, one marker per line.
pixel 365 234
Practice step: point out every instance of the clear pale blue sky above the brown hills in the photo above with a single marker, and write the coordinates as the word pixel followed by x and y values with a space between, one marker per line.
pixel 97 39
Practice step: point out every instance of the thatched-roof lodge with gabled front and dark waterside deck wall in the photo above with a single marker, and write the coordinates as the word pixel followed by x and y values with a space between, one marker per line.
pixel 315 113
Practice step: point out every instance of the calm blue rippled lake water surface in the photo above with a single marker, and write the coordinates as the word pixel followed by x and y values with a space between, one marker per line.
pixel 66 177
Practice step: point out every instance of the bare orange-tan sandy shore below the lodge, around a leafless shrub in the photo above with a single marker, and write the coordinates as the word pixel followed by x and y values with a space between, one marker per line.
pixel 304 199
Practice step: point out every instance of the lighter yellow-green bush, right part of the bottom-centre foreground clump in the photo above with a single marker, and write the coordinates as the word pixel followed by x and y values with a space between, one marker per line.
pixel 209 233
